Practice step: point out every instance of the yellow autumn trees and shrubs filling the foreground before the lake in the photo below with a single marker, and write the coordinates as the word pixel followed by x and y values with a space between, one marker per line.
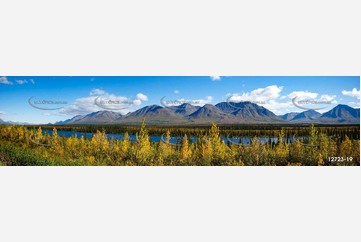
pixel 209 149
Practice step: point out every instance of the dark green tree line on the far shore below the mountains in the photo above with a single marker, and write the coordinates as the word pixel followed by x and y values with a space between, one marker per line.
pixel 260 130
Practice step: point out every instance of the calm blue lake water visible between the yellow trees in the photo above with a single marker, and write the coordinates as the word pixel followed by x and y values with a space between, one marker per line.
pixel 157 138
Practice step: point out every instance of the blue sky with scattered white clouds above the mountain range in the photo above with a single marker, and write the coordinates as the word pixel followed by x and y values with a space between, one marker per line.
pixel 76 95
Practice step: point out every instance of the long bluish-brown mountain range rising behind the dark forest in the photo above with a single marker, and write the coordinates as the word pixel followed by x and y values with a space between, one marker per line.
pixel 221 113
